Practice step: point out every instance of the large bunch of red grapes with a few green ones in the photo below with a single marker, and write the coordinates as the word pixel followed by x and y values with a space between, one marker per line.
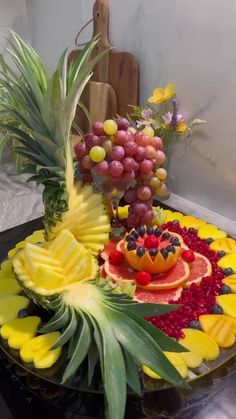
pixel 124 162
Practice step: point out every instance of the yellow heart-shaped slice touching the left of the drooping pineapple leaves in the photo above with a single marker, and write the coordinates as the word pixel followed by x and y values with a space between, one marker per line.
pixel 37 350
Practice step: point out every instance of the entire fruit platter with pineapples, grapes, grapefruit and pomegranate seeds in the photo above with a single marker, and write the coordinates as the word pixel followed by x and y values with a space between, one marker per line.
pixel 112 292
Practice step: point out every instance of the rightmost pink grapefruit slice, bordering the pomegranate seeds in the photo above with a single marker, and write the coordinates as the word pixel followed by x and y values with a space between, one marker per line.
pixel 199 268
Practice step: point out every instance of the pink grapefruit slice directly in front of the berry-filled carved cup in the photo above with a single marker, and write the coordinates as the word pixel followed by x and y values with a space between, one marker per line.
pixel 173 278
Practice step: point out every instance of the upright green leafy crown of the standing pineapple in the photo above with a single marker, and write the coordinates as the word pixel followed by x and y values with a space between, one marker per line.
pixel 39 109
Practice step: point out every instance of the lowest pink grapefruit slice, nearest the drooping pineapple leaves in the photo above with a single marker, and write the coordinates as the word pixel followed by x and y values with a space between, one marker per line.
pixel 160 297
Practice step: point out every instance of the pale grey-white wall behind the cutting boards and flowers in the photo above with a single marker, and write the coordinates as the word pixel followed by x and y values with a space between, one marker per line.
pixel 189 42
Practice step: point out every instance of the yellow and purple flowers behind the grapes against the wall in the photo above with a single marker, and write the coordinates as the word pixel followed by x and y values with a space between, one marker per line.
pixel 162 118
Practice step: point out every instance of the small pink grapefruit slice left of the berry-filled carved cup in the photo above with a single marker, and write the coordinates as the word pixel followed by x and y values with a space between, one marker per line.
pixel 122 272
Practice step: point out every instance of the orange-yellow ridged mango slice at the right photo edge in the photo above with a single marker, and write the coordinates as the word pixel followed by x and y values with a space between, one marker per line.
pixel 221 328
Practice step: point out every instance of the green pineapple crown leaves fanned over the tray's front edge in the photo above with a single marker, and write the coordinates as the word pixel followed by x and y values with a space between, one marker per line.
pixel 110 328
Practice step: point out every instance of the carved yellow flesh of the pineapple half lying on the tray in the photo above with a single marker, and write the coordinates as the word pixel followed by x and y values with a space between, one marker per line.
pixel 48 271
